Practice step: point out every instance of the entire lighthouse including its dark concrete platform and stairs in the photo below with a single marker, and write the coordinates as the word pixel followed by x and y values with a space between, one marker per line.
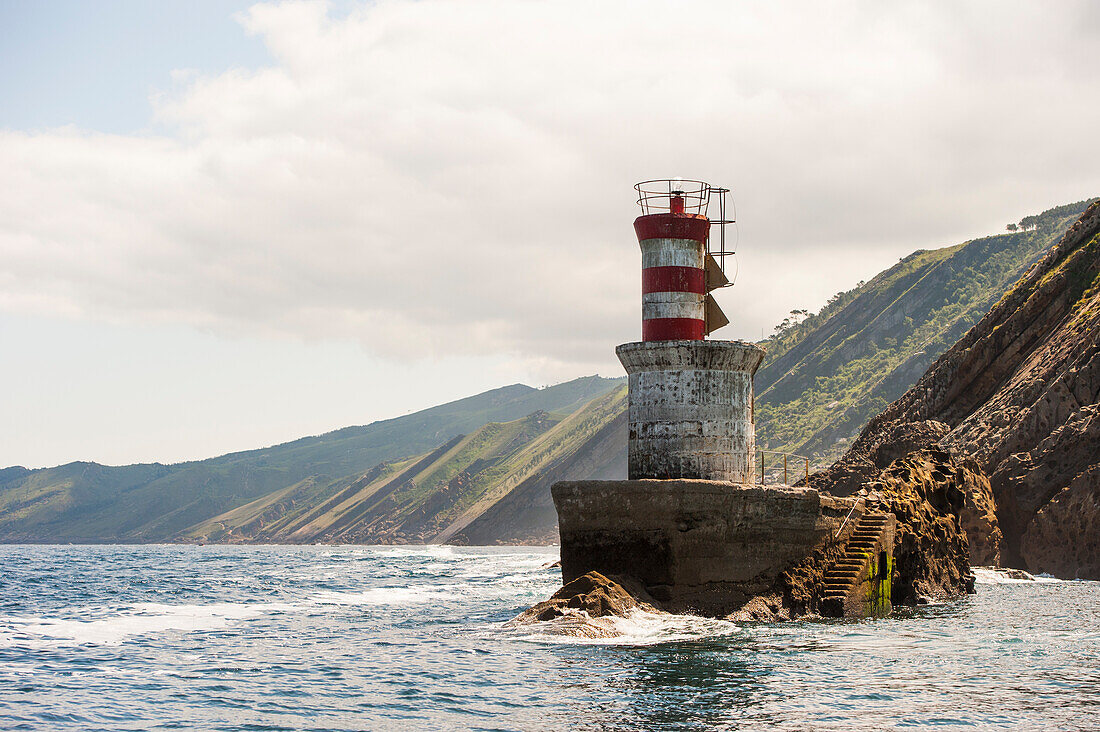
pixel 691 526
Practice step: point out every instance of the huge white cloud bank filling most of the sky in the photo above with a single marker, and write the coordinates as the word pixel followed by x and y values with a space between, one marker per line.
pixel 444 179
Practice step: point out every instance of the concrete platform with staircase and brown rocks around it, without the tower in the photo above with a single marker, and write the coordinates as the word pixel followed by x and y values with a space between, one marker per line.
pixel 771 553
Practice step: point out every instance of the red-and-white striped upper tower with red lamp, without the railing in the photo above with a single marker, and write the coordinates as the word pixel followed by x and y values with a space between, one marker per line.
pixel 674 275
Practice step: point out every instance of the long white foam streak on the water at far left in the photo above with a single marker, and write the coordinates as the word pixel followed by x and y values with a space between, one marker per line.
pixel 135 620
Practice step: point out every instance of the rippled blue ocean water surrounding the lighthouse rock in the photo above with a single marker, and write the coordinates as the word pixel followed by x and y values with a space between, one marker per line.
pixel 168 638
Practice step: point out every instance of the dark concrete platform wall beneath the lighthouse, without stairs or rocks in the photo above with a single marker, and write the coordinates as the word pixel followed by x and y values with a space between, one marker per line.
pixel 697 545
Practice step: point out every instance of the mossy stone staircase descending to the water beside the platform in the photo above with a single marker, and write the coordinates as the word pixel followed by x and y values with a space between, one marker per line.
pixel 857 584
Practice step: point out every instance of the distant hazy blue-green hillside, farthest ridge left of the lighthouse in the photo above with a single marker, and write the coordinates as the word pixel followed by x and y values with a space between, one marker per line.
pixel 89 502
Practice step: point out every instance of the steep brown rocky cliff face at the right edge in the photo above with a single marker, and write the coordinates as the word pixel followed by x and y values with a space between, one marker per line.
pixel 1020 395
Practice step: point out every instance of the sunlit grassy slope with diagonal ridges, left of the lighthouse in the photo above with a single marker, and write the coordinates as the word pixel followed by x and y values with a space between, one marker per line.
pixel 425 499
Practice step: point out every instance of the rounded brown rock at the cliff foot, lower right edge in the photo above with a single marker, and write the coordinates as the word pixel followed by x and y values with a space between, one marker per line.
pixel 1064 539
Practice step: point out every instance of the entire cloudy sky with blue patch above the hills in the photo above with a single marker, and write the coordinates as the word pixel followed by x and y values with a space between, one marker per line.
pixel 225 226
